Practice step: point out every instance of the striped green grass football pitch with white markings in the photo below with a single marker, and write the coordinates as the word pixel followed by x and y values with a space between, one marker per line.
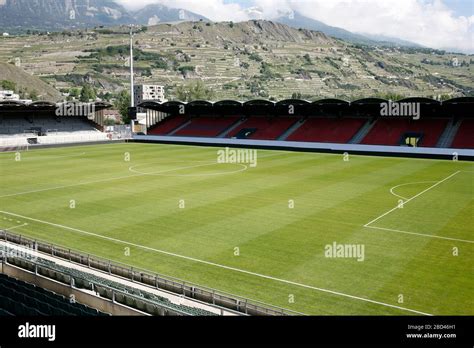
pixel 260 232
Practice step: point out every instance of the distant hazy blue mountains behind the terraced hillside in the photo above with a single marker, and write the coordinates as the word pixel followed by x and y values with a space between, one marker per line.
pixel 18 15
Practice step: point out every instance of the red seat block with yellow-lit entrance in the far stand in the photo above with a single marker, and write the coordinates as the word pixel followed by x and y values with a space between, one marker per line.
pixel 390 131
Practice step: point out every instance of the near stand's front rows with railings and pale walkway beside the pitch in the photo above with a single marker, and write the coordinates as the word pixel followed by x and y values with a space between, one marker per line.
pixel 118 283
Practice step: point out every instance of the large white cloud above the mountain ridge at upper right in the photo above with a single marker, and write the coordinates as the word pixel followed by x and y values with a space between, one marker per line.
pixel 429 23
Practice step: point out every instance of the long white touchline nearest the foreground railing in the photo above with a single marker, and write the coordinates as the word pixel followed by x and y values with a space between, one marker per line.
pixel 218 265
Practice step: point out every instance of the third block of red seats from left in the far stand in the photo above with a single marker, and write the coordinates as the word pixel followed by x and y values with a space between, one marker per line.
pixel 263 128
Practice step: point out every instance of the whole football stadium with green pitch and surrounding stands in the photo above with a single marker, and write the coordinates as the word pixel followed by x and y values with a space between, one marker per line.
pixel 259 208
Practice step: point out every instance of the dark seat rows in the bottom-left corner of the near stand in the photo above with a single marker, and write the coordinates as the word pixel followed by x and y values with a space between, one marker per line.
pixel 24 299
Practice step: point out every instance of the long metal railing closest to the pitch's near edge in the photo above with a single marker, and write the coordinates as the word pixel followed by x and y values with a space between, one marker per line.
pixel 145 277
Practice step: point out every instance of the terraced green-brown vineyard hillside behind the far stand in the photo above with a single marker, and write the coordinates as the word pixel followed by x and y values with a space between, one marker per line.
pixel 255 59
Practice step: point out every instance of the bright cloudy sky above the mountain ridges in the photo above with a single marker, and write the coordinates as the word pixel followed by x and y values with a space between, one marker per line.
pixel 442 24
